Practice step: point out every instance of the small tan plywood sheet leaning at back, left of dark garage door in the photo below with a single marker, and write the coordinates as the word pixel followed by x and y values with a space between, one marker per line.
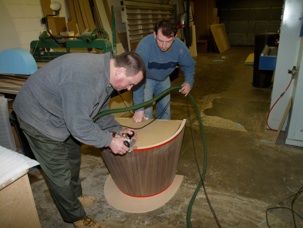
pixel 219 34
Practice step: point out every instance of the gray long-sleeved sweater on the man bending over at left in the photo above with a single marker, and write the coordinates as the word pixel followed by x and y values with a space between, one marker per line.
pixel 62 97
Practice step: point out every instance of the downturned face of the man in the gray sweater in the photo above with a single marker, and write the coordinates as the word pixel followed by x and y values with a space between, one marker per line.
pixel 124 82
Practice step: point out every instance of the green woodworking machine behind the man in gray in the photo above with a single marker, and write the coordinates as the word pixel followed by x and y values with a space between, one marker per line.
pixel 49 47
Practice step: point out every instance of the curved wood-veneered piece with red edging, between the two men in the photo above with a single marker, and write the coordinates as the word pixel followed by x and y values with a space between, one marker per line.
pixel 151 168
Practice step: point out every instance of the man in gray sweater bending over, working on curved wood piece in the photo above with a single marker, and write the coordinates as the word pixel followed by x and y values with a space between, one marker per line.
pixel 55 109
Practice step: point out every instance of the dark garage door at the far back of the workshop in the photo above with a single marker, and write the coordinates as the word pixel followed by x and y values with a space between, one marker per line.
pixel 243 19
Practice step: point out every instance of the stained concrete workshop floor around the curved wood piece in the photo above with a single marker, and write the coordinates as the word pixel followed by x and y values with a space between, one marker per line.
pixel 247 171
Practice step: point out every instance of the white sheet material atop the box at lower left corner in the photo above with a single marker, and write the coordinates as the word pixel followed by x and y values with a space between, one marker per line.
pixel 13 165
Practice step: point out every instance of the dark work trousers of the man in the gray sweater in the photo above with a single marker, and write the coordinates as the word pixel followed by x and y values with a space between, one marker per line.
pixel 60 162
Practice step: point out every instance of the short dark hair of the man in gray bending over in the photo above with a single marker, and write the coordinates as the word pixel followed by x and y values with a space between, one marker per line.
pixel 132 62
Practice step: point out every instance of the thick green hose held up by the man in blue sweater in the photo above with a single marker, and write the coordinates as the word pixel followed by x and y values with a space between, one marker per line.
pixel 146 103
